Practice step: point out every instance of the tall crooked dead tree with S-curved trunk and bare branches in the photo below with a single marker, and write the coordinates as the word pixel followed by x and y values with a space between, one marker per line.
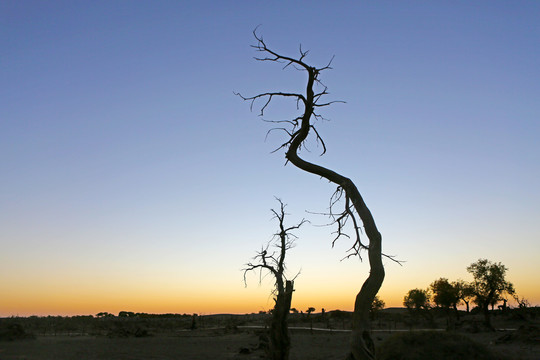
pixel 354 209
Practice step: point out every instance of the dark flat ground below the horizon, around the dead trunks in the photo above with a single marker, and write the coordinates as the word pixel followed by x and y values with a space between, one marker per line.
pixel 224 337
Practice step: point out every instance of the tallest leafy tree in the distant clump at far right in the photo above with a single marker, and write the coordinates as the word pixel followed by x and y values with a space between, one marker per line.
pixel 489 284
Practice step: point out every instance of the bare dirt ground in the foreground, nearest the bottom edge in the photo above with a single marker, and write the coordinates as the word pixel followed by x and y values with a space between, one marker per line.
pixel 217 344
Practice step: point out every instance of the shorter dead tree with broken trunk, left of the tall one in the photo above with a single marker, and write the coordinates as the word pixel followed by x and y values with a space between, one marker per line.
pixel 273 262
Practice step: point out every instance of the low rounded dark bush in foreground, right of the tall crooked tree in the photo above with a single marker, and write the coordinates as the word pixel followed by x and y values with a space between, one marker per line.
pixel 428 345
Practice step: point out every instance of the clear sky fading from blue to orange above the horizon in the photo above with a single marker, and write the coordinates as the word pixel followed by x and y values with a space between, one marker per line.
pixel 132 178
